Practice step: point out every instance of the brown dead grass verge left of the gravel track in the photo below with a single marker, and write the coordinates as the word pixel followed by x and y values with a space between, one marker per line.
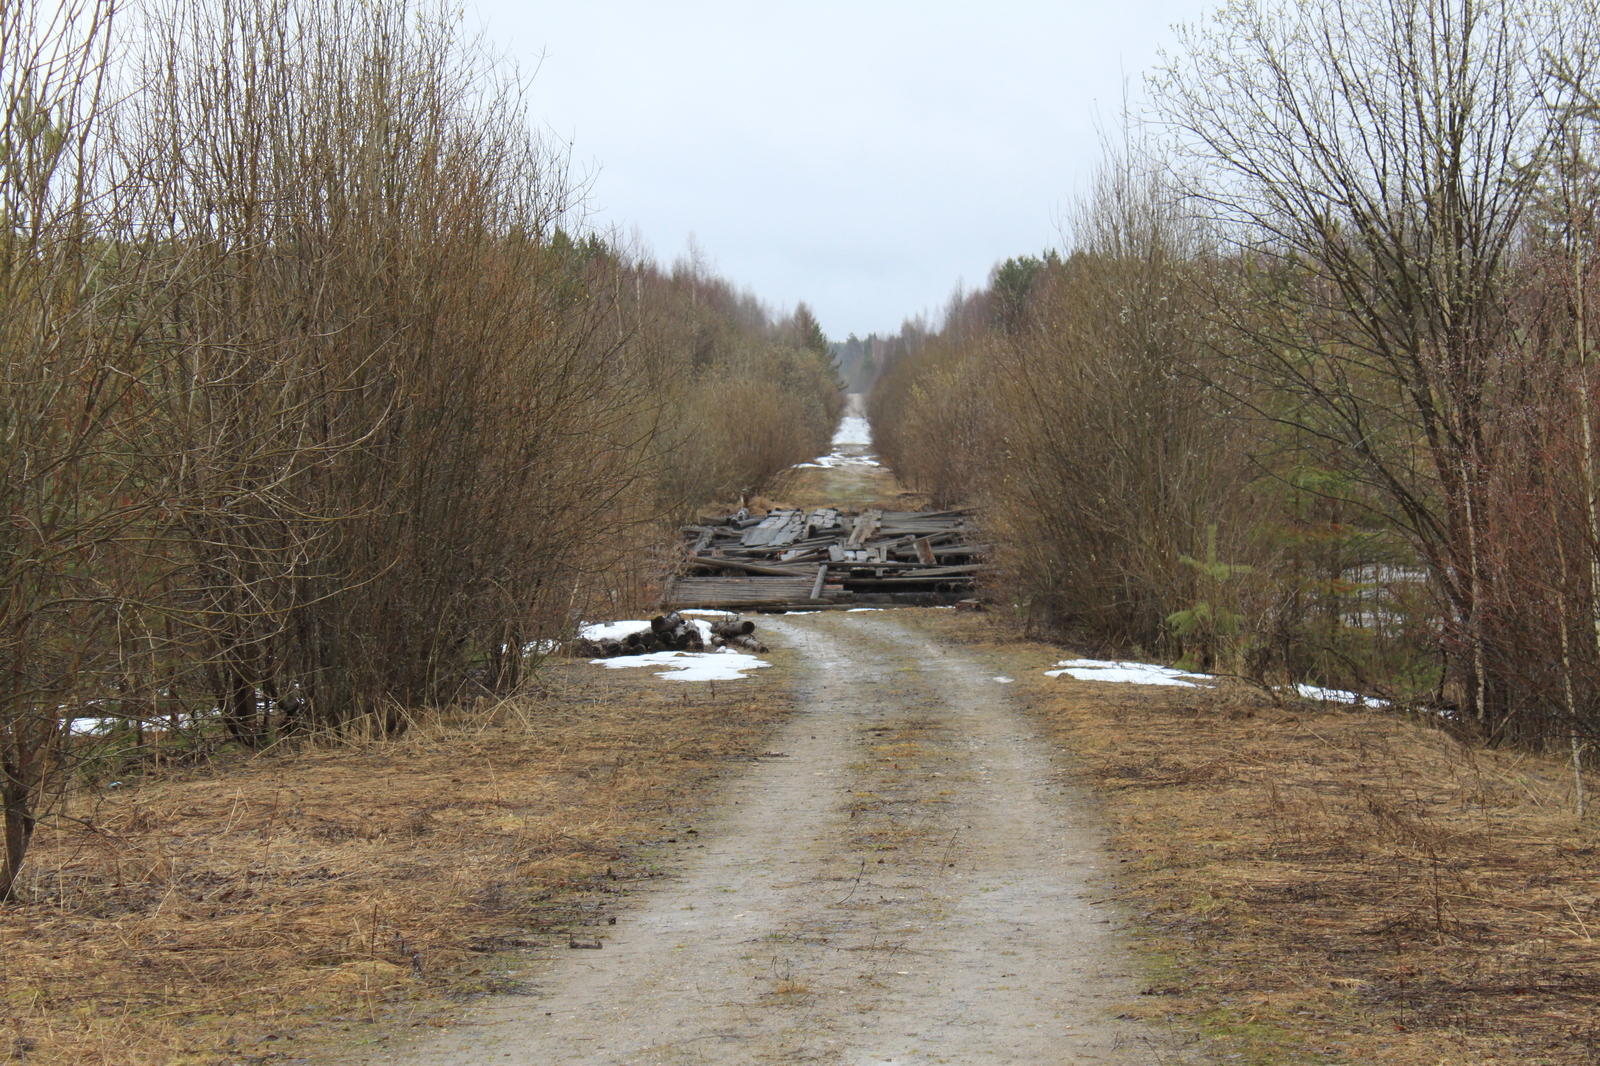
pixel 262 908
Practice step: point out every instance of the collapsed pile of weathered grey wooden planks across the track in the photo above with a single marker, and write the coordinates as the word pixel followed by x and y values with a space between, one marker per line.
pixel 826 556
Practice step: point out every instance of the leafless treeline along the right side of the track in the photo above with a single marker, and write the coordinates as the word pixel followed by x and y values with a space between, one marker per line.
pixel 1310 395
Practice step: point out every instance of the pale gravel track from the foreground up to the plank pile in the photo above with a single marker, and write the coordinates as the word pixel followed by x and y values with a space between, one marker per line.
pixel 910 881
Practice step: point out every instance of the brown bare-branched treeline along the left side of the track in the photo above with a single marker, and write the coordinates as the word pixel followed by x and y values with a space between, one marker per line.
pixel 314 406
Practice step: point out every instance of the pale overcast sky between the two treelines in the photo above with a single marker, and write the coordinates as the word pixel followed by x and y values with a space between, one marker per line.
pixel 865 158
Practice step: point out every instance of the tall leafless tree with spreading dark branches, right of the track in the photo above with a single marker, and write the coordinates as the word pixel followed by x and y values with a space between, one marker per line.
pixel 1377 162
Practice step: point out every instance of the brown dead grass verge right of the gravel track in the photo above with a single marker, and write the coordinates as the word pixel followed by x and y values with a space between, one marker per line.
pixel 1319 886
